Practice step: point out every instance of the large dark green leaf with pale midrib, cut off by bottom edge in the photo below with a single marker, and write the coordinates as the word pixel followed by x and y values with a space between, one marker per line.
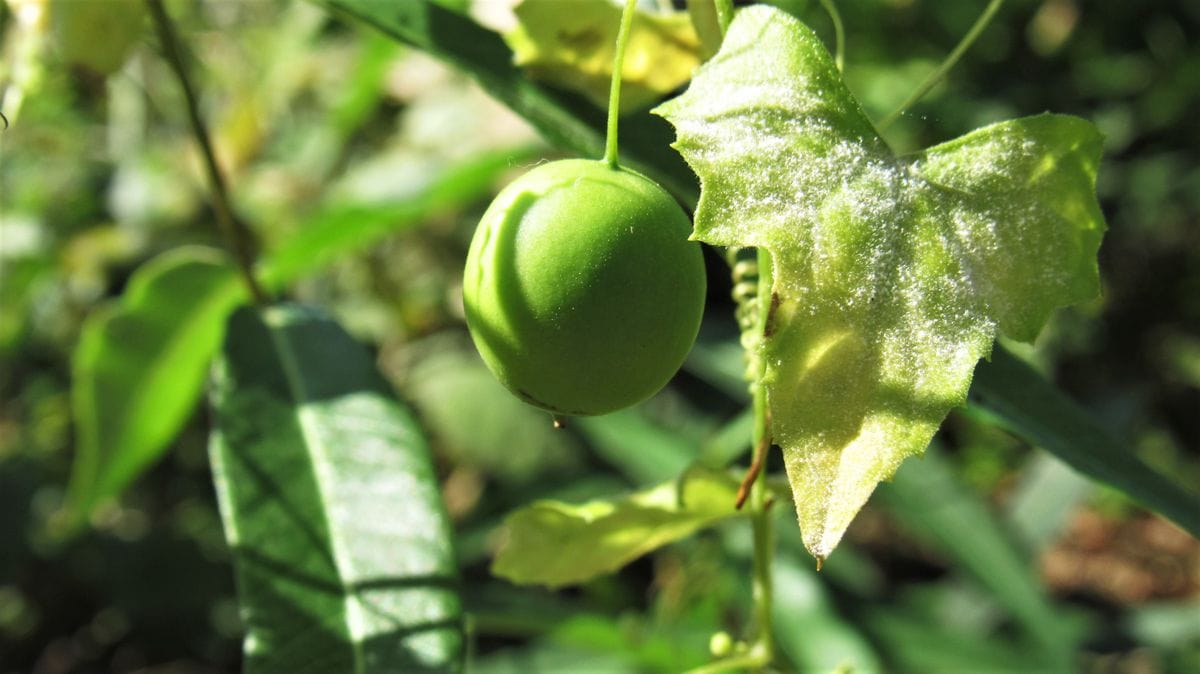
pixel 341 543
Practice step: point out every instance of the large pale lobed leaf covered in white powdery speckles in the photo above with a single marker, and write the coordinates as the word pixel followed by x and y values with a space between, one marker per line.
pixel 892 275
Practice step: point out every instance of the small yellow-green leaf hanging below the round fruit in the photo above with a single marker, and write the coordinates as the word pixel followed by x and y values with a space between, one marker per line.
pixel 555 544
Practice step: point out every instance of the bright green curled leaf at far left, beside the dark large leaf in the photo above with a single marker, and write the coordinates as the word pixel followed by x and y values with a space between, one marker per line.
pixel 140 369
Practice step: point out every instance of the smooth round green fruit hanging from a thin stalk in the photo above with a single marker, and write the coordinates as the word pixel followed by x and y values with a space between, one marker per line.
pixel 583 291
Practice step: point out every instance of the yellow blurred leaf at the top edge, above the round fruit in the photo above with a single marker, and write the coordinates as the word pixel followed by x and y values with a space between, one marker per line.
pixel 572 45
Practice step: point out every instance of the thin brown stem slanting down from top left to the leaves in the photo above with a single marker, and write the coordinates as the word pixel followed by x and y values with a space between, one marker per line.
pixel 238 237
